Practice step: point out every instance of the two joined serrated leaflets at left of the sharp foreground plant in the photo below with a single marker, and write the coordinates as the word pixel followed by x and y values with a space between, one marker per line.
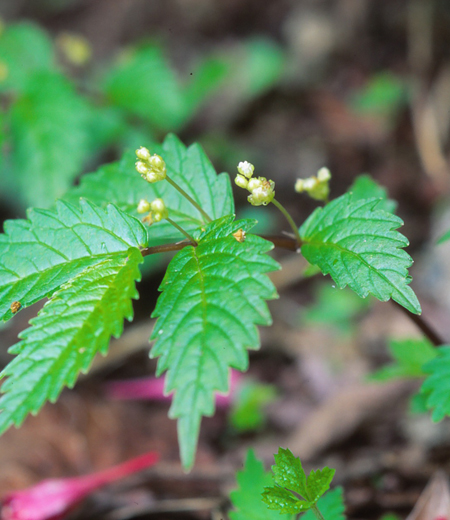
pixel 85 259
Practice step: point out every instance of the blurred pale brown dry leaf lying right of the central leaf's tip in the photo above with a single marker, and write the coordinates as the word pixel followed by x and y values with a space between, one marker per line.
pixel 341 414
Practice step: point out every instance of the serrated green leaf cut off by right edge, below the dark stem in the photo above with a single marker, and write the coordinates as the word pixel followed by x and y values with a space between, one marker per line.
pixel 436 386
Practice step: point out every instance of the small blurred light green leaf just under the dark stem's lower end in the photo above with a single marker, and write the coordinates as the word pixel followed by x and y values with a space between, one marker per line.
pixel 410 355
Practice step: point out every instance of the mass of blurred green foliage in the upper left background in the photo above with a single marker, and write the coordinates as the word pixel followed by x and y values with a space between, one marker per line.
pixel 53 127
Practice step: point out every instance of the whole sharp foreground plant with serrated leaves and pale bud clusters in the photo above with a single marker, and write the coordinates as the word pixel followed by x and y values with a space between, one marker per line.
pixel 84 255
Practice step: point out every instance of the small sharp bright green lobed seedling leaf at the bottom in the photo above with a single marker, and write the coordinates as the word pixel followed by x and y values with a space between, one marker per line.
pixel 290 478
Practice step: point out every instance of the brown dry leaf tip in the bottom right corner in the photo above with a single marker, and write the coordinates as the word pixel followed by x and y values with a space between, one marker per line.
pixel 434 502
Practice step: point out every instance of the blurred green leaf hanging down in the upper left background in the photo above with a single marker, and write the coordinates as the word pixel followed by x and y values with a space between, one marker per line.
pixel 49 139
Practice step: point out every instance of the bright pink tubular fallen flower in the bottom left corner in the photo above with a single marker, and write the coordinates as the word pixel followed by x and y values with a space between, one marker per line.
pixel 52 499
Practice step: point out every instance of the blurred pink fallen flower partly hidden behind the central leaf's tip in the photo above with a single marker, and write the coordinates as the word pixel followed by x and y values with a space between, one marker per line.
pixel 152 388
